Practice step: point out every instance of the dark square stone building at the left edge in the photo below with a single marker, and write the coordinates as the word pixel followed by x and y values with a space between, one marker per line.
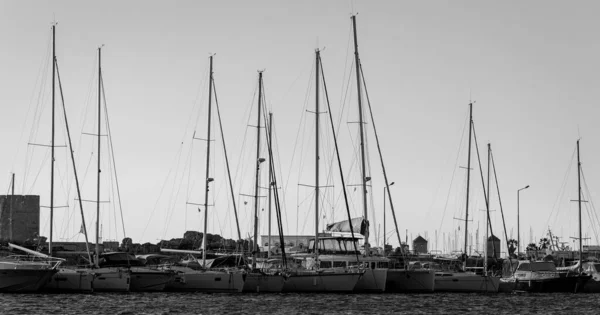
pixel 19 218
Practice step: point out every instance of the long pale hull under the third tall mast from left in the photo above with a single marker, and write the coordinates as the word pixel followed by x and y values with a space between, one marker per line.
pixel 187 279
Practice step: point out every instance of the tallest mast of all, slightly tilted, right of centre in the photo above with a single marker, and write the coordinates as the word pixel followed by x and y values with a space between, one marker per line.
pixel 362 136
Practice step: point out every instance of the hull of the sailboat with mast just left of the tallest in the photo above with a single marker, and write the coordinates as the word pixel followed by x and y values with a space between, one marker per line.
pixel 308 281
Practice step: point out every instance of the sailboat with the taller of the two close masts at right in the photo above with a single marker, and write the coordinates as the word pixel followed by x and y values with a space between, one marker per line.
pixel 466 281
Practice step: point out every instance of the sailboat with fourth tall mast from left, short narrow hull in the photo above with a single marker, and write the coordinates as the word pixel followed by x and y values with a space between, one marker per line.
pixel 260 280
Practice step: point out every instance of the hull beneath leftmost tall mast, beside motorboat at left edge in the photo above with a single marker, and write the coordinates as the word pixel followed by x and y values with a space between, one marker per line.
pixel 71 280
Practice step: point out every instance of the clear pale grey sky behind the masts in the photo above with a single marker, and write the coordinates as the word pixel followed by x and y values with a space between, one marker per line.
pixel 532 68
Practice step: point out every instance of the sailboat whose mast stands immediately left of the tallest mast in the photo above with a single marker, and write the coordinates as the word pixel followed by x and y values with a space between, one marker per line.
pixel 317 273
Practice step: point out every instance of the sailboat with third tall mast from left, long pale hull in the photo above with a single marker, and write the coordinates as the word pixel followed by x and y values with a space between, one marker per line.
pixel 205 279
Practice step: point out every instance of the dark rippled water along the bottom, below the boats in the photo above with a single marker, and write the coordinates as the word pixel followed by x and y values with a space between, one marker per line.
pixel 200 303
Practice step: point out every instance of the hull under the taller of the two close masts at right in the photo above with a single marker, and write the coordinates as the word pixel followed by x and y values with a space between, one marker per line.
pixel 465 282
